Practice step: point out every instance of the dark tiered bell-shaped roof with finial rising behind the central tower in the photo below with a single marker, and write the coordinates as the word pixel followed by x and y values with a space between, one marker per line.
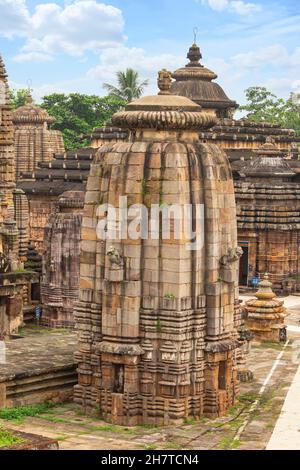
pixel 196 83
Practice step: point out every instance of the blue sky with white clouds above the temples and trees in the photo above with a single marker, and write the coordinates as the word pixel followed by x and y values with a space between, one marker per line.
pixel 76 45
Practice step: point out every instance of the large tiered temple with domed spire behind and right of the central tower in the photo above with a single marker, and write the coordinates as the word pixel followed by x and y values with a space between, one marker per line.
pixel 269 241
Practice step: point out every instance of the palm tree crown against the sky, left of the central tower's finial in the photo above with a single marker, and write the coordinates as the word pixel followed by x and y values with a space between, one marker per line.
pixel 129 86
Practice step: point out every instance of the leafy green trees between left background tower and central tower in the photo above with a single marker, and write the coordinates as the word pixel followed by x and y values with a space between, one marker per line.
pixel 77 114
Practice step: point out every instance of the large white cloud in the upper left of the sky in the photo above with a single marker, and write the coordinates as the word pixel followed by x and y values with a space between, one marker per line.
pixel 72 28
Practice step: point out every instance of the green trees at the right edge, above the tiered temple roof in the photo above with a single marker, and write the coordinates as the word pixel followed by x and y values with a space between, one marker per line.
pixel 262 105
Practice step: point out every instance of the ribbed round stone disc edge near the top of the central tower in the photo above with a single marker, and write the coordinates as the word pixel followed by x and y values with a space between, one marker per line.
pixel 164 120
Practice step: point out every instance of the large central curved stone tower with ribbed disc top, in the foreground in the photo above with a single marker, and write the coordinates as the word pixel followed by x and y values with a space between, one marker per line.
pixel 158 321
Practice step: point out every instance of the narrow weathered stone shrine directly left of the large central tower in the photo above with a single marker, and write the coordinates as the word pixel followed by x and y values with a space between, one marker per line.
pixel 60 276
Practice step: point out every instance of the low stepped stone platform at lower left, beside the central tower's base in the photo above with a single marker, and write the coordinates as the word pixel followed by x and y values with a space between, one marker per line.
pixel 39 366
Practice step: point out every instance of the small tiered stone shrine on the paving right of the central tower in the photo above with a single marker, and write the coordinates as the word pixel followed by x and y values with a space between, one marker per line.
pixel 266 314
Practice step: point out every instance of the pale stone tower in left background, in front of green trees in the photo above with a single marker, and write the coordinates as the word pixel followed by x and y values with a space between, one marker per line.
pixel 34 141
